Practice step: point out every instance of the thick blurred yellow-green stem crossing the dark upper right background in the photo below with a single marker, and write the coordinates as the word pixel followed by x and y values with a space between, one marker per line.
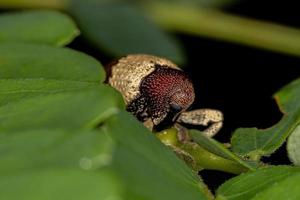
pixel 216 24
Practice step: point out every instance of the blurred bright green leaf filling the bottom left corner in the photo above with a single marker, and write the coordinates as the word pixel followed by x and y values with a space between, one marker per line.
pixel 60 184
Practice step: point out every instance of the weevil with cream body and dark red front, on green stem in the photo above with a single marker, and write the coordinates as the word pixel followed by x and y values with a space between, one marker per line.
pixel 159 93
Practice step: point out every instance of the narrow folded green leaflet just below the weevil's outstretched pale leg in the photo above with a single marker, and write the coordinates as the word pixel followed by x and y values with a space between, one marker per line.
pixel 219 149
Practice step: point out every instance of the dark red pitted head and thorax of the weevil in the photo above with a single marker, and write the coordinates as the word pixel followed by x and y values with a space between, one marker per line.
pixel 167 90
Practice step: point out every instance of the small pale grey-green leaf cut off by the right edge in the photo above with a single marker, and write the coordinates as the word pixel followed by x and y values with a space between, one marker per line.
pixel 293 146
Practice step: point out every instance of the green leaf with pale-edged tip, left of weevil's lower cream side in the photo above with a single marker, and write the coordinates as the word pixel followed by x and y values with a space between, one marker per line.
pixel 82 109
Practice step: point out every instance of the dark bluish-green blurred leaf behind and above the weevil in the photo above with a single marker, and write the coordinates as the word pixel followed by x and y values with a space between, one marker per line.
pixel 120 29
